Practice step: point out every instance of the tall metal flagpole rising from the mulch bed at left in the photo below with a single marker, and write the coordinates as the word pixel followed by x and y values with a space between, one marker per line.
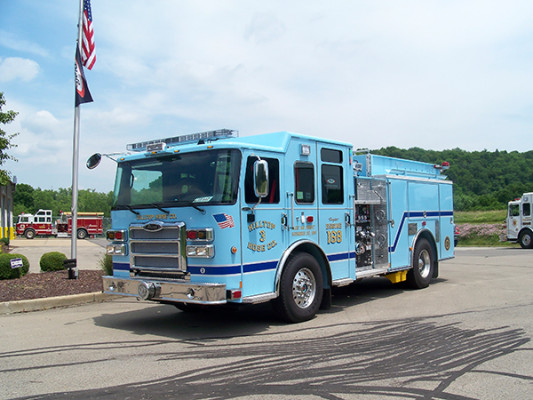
pixel 75 162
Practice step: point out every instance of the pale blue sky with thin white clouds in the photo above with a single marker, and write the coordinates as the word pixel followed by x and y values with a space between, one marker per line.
pixel 438 74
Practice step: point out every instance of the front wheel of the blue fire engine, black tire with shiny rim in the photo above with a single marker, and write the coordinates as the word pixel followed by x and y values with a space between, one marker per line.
pixel 300 290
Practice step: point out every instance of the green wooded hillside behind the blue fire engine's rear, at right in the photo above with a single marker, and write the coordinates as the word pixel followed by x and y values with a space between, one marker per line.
pixel 482 180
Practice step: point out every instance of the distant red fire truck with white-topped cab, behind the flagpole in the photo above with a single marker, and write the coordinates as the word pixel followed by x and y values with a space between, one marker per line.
pixel 41 224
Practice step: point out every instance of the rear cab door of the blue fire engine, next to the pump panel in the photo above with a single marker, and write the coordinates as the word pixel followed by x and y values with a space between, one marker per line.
pixel 335 210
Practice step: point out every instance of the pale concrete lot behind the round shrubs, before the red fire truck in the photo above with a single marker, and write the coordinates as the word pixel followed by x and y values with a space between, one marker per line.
pixel 89 251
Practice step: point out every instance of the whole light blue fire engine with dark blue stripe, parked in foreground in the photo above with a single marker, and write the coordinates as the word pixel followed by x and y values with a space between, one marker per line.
pixel 212 218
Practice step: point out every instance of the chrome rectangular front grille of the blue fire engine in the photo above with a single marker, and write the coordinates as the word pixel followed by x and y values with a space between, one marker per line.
pixel 158 248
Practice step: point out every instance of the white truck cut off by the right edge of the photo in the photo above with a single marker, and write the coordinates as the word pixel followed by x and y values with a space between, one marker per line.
pixel 519 227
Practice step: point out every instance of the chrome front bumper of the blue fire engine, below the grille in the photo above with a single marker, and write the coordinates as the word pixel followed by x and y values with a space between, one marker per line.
pixel 175 290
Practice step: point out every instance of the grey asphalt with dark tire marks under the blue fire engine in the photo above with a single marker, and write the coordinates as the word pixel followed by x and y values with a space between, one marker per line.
pixel 467 336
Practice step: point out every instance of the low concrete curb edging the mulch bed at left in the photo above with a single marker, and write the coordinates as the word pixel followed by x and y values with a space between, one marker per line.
pixel 11 307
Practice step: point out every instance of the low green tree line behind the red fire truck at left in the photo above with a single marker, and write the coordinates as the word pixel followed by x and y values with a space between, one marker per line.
pixel 29 200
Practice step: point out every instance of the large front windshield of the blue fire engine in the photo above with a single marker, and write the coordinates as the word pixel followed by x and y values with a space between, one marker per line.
pixel 206 177
